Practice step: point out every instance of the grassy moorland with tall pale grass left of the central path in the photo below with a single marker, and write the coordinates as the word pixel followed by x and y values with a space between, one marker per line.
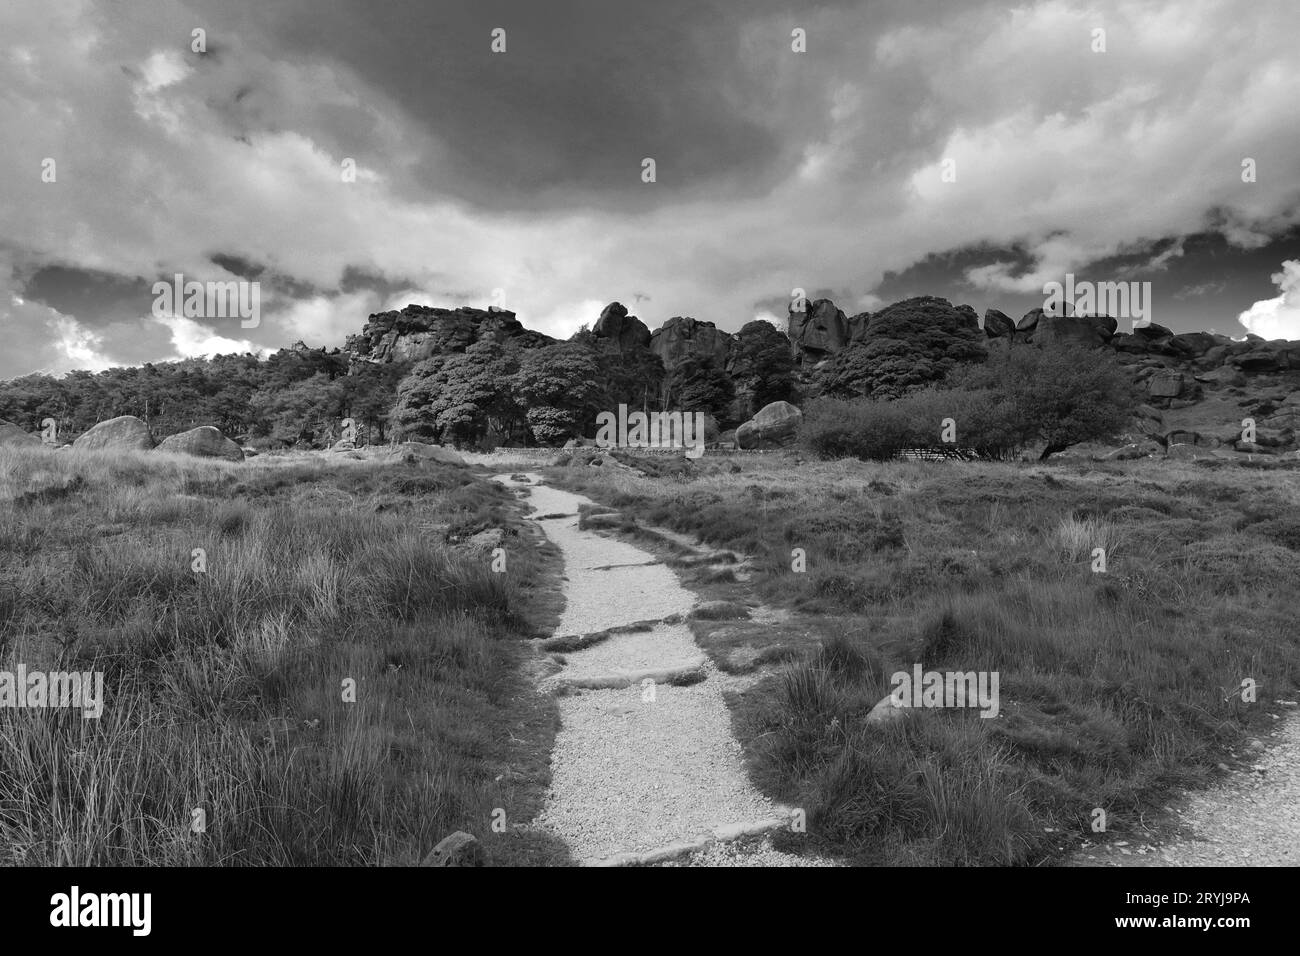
pixel 226 690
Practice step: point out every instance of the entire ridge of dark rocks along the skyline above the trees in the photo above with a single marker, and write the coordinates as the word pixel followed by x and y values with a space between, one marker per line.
pixel 1176 373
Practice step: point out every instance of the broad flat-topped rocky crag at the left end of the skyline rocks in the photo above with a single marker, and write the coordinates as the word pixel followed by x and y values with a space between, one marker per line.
pixel 421 332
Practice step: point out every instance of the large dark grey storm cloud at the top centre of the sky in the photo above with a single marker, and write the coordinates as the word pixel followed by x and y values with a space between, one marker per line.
pixel 584 92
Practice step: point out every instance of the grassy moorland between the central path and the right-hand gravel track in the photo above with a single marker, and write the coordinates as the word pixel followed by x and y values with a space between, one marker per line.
pixel 1117 687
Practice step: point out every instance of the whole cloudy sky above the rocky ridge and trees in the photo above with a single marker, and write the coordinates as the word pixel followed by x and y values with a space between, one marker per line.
pixel 973 152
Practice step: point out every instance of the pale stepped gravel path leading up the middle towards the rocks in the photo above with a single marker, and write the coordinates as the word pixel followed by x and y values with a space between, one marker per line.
pixel 632 775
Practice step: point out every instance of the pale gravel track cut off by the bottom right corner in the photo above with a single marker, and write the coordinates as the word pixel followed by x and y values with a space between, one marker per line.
pixel 1251 820
